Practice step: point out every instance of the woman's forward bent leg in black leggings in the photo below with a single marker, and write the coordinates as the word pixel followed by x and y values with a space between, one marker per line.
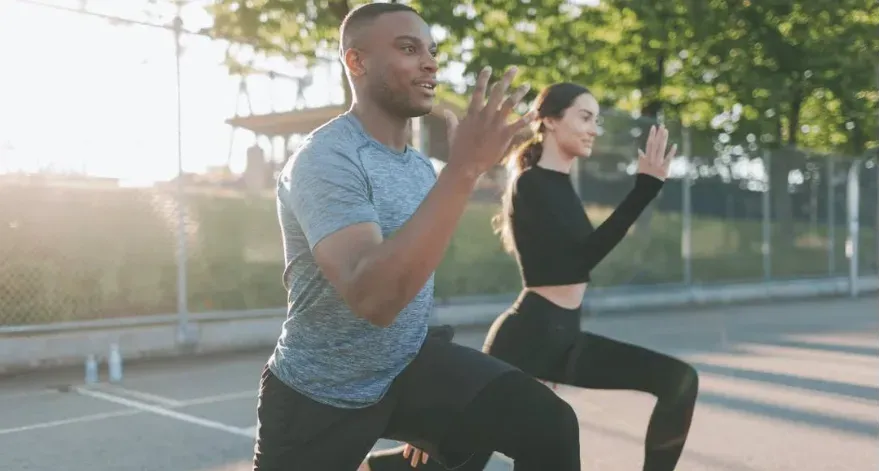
pixel 597 362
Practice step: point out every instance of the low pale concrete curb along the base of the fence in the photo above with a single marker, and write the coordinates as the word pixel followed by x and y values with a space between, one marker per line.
pixel 28 351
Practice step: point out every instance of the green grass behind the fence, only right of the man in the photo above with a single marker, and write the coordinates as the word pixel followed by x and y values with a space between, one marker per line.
pixel 722 251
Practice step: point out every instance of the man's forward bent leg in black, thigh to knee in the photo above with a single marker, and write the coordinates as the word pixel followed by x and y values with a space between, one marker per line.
pixel 460 405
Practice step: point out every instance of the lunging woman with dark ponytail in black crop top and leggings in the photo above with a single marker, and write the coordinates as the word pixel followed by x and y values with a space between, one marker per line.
pixel 544 226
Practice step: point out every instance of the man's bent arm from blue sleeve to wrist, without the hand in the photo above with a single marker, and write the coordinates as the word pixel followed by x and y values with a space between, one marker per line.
pixel 377 278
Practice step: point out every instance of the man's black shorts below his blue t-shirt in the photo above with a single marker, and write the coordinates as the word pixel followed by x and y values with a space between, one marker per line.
pixel 295 433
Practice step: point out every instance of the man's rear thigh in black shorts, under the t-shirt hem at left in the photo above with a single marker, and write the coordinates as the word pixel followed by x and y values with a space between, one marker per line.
pixel 295 433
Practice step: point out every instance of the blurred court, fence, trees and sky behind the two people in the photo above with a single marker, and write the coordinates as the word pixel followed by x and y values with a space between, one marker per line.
pixel 138 155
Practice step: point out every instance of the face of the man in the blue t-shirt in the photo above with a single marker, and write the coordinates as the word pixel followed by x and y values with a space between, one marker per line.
pixel 400 64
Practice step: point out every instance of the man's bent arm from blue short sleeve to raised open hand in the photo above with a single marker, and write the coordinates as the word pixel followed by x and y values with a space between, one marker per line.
pixel 377 277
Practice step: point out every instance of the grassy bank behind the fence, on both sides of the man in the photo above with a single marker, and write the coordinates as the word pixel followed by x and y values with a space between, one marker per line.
pixel 74 254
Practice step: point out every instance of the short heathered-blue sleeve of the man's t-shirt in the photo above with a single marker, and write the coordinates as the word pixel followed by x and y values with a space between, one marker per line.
pixel 326 191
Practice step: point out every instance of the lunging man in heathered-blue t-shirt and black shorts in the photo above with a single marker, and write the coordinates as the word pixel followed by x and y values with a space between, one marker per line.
pixel 365 222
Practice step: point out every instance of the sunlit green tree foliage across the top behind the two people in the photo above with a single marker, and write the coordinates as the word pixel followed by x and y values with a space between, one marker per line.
pixel 795 72
